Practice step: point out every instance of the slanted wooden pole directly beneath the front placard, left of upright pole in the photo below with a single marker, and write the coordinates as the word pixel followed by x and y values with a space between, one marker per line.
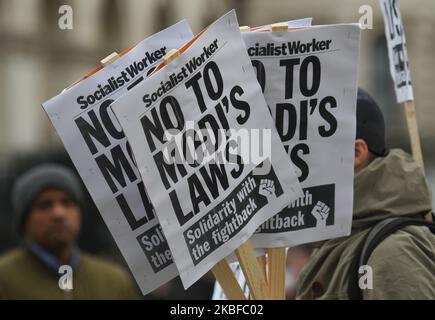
pixel 258 288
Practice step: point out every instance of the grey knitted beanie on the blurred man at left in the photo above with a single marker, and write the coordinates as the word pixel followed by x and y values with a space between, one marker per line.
pixel 28 185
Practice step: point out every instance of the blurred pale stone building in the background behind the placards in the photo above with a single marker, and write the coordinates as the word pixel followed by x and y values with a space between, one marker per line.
pixel 38 59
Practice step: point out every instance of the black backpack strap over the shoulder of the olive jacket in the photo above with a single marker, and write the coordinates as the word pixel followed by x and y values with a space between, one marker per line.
pixel 375 236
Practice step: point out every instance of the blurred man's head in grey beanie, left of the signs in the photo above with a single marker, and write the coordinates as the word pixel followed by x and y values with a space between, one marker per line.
pixel 46 202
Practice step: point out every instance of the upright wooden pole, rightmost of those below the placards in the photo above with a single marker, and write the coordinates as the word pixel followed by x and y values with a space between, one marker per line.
pixel 276 272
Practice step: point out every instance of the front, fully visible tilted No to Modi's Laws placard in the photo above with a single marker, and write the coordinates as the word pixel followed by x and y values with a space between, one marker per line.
pixel 190 125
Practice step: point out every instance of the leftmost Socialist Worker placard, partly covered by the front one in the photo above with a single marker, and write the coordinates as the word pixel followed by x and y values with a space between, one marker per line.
pixel 102 156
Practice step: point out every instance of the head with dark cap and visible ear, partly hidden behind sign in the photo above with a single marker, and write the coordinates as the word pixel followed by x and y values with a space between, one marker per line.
pixel 370 131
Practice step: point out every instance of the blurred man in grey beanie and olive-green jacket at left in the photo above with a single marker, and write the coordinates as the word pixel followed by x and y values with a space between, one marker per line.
pixel 47 205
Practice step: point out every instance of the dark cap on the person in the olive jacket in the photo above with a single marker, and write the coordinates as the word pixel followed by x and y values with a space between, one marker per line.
pixel 370 125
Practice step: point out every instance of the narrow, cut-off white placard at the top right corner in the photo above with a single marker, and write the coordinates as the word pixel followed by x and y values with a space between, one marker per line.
pixel 397 53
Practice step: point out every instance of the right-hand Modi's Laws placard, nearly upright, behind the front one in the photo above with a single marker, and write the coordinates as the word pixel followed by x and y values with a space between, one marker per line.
pixel 309 79
